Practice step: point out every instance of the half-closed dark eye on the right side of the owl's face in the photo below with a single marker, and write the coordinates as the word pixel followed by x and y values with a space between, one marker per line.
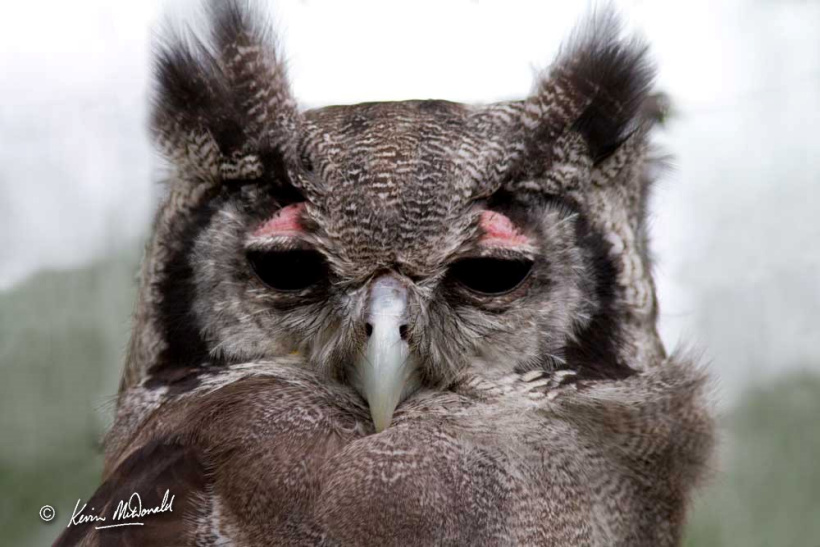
pixel 490 276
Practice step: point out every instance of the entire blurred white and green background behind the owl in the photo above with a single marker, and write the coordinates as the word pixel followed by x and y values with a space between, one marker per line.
pixel 736 222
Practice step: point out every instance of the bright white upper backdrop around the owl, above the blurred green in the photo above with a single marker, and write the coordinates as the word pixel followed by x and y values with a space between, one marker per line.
pixel 736 225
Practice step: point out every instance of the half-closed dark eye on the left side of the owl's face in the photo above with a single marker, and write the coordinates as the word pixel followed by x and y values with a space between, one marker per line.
pixel 292 270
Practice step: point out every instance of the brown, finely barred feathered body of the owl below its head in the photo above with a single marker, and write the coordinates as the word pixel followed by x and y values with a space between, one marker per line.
pixel 265 454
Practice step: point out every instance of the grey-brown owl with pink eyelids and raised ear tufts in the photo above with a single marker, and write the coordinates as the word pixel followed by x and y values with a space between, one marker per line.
pixel 401 323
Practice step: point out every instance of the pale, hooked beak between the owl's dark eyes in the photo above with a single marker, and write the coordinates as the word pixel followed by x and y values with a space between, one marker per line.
pixel 385 368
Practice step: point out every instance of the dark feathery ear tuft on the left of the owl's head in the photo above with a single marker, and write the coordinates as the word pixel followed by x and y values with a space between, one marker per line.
pixel 224 101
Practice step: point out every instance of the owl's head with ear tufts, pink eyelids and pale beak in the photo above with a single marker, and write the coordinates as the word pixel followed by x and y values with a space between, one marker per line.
pixel 396 246
